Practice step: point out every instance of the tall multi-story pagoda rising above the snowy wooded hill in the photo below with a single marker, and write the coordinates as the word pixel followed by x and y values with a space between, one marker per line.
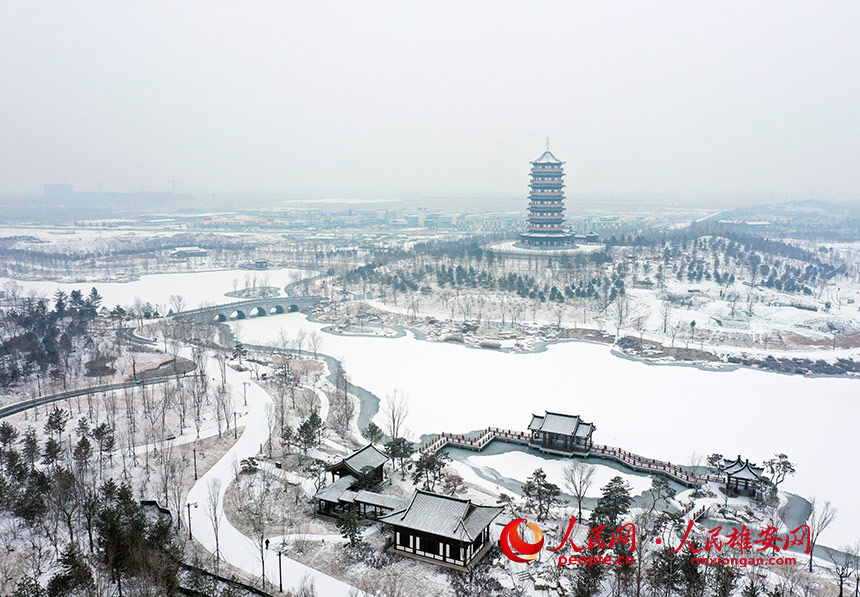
pixel 546 227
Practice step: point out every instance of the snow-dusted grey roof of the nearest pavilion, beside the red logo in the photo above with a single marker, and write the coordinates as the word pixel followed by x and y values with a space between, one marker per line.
pixel 444 516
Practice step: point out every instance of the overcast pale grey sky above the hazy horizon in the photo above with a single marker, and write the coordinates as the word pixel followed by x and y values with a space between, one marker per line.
pixel 420 99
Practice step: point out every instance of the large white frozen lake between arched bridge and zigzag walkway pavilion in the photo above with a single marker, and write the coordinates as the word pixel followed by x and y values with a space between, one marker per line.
pixel 665 411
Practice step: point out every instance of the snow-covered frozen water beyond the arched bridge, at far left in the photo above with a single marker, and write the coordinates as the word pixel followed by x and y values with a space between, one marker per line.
pixel 195 288
